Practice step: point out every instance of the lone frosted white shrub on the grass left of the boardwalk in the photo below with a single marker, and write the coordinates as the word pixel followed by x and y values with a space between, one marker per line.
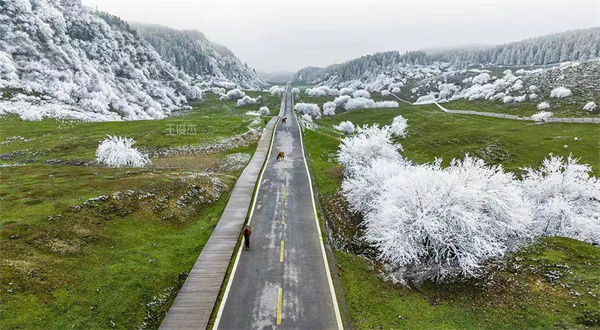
pixel 118 151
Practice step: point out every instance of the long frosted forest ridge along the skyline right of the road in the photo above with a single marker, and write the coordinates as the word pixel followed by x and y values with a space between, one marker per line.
pixel 575 45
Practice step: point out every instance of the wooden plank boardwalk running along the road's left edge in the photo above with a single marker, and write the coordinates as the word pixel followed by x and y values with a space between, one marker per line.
pixel 196 299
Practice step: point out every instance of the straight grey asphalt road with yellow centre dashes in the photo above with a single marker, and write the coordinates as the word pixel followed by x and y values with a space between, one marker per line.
pixel 282 281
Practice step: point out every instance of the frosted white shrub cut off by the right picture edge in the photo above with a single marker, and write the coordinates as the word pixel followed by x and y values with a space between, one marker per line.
pixel 565 199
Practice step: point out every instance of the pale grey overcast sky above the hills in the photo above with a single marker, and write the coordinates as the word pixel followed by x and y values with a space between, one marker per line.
pixel 289 35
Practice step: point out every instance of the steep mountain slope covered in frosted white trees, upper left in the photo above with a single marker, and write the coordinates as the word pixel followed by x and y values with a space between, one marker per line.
pixel 79 62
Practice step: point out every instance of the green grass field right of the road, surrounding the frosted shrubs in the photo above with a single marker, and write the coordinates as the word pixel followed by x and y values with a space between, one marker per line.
pixel 518 298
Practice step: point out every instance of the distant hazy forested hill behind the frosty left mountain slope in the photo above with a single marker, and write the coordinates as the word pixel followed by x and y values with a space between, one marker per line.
pixel 193 53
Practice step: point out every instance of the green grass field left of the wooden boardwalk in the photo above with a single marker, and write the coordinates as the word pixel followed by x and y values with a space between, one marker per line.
pixel 119 261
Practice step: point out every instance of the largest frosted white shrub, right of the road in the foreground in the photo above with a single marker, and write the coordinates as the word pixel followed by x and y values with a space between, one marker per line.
pixel 447 219
